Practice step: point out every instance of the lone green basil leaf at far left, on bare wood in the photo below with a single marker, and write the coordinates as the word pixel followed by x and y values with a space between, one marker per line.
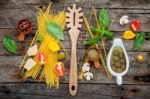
pixel 9 44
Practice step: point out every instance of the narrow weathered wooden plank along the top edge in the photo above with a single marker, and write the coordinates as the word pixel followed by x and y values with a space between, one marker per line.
pixel 133 4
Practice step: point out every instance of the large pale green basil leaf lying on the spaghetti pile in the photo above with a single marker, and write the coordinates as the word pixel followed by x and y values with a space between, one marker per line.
pixel 55 30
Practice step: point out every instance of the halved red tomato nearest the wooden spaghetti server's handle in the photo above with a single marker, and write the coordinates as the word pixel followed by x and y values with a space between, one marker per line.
pixel 59 69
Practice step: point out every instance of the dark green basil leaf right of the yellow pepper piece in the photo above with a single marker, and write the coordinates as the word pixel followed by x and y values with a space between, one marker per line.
pixel 139 41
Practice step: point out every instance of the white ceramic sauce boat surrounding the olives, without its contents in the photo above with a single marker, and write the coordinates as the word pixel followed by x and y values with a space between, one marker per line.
pixel 119 43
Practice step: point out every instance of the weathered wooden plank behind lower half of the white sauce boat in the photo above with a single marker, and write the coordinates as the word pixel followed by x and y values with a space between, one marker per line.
pixel 137 74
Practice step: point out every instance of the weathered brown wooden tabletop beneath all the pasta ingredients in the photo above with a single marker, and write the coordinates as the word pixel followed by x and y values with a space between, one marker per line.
pixel 136 84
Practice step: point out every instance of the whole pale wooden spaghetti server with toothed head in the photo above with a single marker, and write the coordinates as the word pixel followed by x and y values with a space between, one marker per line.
pixel 74 20
